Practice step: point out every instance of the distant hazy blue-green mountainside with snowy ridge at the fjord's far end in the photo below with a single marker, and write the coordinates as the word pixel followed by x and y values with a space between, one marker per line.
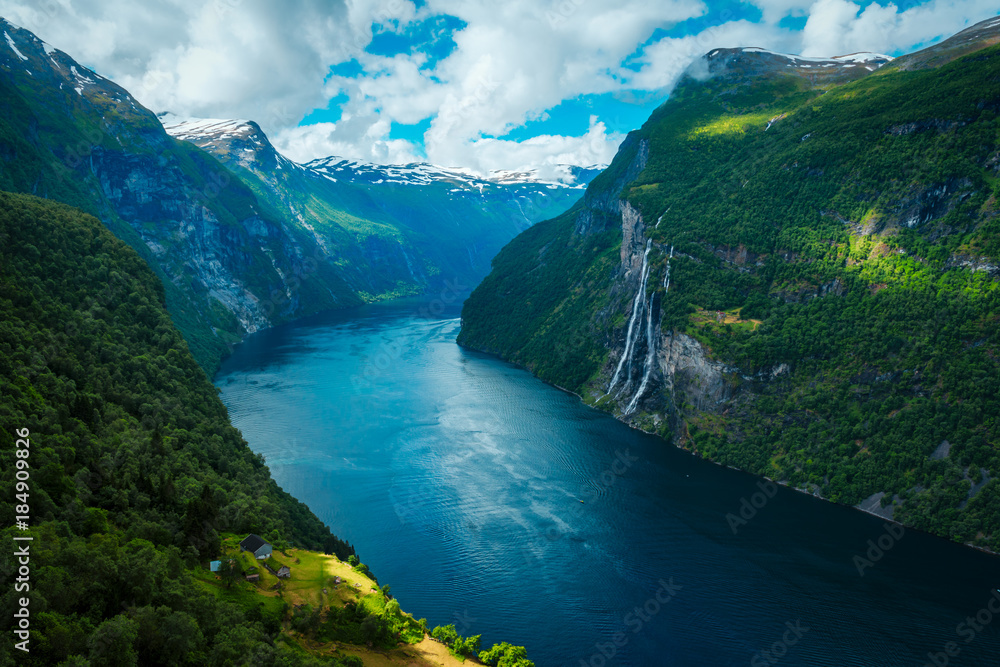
pixel 389 229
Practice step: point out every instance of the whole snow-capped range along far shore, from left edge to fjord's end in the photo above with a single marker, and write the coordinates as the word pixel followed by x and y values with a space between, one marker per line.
pixel 245 239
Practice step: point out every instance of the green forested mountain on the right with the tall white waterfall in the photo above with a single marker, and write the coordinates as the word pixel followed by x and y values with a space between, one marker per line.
pixel 792 268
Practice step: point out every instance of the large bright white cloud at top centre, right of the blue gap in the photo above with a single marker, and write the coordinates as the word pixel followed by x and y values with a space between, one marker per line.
pixel 511 65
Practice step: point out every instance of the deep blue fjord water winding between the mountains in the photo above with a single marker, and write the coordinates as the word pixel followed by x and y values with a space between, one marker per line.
pixel 458 478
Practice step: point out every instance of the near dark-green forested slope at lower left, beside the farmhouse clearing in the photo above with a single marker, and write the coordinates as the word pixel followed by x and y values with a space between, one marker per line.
pixel 132 469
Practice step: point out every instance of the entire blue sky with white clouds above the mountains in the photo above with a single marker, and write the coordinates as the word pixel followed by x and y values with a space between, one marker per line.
pixel 522 84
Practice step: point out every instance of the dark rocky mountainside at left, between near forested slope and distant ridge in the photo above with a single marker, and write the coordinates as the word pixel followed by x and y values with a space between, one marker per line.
pixel 231 266
